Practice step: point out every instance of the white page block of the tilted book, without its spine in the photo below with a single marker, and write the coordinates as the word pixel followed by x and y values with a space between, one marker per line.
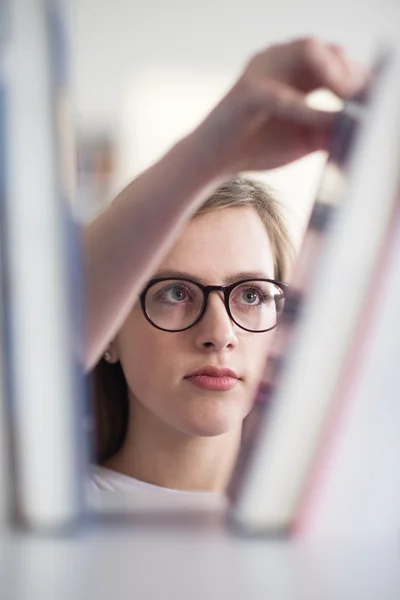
pixel 288 438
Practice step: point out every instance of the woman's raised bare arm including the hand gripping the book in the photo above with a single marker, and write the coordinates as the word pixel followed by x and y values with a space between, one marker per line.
pixel 262 123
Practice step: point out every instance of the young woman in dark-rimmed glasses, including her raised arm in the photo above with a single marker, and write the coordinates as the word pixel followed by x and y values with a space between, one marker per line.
pixel 191 354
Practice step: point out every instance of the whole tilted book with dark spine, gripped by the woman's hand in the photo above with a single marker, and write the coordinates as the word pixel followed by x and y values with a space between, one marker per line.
pixel 285 430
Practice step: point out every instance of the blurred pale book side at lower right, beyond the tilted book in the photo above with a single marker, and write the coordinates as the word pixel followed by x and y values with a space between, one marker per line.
pixel 356 491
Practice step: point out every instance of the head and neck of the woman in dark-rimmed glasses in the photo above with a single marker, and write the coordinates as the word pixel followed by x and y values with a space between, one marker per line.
pixel 176 383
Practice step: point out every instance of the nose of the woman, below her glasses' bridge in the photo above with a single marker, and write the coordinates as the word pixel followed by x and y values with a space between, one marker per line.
pixel 215 331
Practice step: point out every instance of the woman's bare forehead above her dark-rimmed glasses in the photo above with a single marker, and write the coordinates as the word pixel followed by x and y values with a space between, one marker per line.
pixel 220 243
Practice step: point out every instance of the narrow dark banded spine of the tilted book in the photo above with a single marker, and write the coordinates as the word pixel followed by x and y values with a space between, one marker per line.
pixel 321 222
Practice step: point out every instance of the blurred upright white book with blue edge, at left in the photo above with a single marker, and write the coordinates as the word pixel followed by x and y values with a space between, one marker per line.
pixel 47 399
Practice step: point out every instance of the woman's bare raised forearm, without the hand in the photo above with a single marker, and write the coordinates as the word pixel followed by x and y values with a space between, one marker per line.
pixel 125 243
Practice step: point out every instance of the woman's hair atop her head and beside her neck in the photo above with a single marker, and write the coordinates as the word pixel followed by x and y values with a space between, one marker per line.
pixel 111 405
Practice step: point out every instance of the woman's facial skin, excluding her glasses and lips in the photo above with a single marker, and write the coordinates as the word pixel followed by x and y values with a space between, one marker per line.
pixel 216 248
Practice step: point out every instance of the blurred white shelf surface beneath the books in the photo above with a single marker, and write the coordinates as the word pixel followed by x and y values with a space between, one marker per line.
pixel 195 560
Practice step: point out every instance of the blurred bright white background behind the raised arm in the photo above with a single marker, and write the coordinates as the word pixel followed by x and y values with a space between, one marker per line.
pixel 145 73
